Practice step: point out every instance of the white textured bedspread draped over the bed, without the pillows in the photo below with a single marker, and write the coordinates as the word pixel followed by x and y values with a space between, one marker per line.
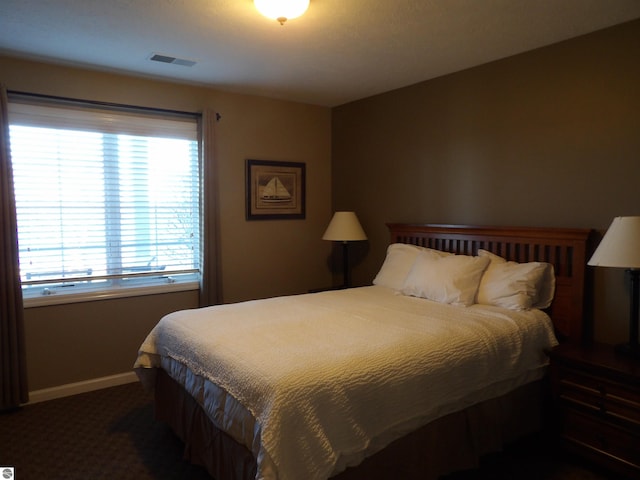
pixel 329 378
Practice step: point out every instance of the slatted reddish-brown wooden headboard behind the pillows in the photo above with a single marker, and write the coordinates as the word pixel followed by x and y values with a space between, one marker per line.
pixel 566 249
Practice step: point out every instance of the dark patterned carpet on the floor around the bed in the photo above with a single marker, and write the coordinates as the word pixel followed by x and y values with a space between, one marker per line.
pixel 111 434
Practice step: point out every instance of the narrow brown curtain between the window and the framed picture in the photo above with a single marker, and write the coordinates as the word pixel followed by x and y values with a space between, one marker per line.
pixel 210 293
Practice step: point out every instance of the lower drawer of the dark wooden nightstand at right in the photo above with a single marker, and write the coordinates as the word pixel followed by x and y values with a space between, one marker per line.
pixel 617 444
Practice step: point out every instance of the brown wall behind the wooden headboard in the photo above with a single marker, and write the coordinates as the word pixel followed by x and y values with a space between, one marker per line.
pixel 547 138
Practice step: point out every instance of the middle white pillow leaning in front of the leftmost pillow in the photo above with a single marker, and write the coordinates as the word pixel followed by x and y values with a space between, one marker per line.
pixel 450 279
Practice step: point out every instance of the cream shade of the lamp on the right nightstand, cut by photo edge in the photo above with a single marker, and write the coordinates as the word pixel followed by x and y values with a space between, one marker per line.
pixel 620 246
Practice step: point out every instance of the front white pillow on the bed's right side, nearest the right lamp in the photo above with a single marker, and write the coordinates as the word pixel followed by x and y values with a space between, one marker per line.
pixel 513 285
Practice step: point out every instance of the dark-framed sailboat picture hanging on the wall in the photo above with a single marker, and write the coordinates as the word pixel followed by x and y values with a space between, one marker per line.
pixel 275 190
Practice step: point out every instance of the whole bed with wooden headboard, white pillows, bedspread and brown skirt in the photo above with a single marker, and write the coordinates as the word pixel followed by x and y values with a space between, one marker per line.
pixel 415 376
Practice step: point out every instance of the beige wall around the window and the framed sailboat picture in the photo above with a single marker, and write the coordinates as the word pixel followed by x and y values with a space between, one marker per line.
pixel 71 343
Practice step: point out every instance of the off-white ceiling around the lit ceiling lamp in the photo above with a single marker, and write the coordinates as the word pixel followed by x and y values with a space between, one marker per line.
pixel 339 51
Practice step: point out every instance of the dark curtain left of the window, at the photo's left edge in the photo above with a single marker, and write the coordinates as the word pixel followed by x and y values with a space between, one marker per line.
pixel 13 370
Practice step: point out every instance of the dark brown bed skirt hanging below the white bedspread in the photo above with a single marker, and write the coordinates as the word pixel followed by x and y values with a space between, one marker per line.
pixel 451 443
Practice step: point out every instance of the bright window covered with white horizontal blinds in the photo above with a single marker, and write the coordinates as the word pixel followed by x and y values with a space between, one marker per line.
pixel 107 199
